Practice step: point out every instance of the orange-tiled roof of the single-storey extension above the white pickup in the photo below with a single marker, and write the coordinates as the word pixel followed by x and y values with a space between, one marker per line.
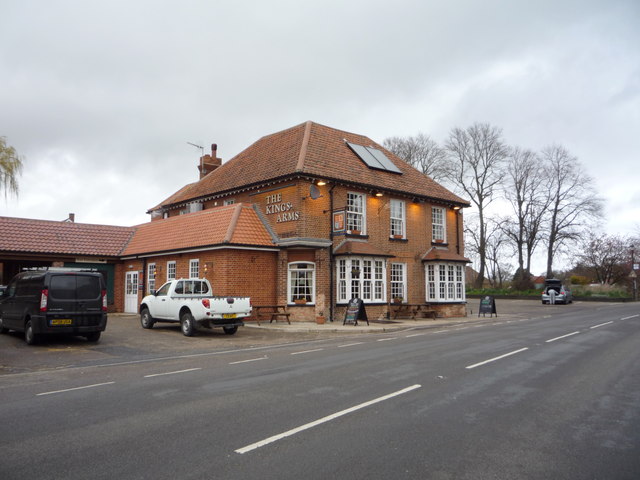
pixel 236 224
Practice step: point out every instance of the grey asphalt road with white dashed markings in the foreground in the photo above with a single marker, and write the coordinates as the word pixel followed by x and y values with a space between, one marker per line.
pixel 551 394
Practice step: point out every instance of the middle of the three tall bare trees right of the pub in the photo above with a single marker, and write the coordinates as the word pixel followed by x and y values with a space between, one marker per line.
pixel 523 190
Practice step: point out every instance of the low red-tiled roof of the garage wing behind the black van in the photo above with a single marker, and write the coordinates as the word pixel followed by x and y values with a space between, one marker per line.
pixel 45 236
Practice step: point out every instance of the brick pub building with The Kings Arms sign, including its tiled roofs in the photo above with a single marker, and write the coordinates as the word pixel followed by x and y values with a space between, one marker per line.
pixel 308 217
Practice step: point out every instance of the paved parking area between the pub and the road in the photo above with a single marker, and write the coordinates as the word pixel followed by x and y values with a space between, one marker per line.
pixel 125 338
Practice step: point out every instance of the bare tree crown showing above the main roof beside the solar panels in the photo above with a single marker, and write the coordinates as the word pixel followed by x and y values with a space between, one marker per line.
pixel 421 152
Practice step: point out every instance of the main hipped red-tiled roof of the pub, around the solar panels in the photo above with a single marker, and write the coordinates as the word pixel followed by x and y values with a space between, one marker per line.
pixel 315 150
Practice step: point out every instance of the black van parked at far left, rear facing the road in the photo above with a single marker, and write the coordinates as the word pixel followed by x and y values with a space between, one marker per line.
pixel 55 301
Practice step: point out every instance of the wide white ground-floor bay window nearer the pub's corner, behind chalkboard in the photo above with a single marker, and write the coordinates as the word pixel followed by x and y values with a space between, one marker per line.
pixel 361 277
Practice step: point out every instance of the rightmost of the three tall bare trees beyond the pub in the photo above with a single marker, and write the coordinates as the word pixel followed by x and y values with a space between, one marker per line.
pixel 572 200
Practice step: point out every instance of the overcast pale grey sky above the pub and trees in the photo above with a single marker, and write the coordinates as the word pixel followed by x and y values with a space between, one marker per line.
pixel 101 98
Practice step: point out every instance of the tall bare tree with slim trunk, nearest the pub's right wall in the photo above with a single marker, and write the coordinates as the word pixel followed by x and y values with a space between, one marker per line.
pixel 475 164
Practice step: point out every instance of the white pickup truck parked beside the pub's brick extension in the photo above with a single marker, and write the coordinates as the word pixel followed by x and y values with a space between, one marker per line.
pixel 190 302
